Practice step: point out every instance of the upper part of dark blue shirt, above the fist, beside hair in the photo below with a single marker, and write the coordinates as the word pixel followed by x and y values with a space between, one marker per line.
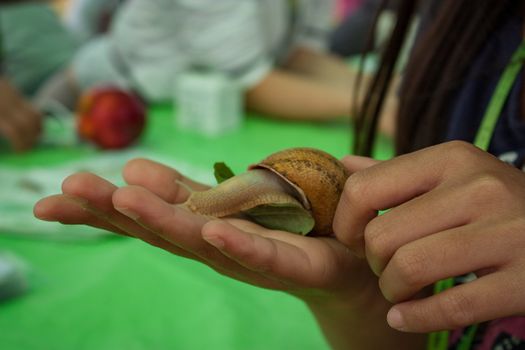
pixel 470 105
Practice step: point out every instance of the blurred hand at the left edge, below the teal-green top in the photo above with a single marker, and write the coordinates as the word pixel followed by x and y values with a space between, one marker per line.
pixel 20 123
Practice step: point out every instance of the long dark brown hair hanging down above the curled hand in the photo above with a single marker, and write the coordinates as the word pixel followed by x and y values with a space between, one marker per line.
pixel 435 71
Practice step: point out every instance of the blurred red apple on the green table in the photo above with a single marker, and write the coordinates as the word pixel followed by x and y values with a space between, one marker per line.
pixel 110 117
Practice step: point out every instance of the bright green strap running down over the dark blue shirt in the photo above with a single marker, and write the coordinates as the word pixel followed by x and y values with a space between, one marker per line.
pixel 439 340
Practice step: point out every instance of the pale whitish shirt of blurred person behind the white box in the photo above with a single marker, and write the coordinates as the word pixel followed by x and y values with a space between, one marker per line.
pixel 152 41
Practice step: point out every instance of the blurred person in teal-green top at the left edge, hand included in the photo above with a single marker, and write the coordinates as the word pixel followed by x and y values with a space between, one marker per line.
pixel 34 47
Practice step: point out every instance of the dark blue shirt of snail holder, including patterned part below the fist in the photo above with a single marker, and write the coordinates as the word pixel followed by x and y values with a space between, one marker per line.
pixel 508 143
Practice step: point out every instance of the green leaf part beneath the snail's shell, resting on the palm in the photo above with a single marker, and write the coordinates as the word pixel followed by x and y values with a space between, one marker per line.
pixel 288 217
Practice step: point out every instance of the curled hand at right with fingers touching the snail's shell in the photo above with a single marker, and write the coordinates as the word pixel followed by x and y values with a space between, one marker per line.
pixel 454 210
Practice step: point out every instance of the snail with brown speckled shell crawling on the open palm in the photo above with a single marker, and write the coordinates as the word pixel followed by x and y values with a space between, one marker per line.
pixel 295 190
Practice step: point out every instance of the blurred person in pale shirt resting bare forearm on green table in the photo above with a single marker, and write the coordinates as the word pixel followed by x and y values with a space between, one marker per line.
pixel 274 49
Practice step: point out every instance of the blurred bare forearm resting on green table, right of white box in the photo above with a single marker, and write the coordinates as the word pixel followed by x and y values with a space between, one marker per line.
pixel 291 96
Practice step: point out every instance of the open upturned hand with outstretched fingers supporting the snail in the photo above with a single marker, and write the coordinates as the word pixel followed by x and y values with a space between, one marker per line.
pixel 146 209
